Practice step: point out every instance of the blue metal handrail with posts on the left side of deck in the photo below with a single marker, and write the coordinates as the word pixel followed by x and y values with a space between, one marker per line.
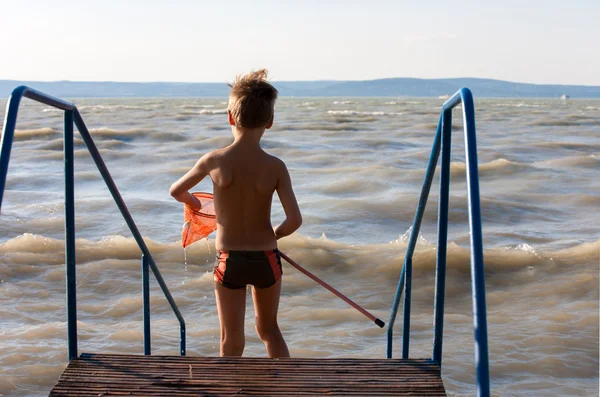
pixel 72 116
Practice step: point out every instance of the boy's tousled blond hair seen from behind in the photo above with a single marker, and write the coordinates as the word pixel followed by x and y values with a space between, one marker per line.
pixel 252 100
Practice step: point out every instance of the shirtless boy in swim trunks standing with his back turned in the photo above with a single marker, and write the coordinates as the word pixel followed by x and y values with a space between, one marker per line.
pixel 244 179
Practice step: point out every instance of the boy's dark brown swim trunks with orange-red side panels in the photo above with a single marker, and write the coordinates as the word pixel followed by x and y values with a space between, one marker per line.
pixel 236 269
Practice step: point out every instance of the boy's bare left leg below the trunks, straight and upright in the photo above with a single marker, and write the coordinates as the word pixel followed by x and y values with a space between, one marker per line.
pixel 231 306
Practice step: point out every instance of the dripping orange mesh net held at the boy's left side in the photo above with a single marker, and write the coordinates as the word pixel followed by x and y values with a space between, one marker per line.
pixel 198 224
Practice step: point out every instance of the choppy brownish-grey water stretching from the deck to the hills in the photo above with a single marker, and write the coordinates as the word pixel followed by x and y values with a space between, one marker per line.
pixel 357 167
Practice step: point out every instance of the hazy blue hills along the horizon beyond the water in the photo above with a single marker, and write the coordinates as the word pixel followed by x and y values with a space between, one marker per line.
pixel 396 87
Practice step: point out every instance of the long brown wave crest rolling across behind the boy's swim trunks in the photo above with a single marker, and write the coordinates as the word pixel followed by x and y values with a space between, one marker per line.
pixel 320 253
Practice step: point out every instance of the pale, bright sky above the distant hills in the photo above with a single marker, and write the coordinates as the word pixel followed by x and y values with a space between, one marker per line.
pixel 532 41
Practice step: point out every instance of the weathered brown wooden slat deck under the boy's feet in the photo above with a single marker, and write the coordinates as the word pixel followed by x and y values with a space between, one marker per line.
pixel 103 375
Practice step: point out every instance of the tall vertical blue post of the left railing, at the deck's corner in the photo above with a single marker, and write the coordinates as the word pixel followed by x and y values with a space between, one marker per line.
pixel 70 236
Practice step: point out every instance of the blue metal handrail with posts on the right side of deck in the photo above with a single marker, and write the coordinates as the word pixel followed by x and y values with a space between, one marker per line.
pixel 442 142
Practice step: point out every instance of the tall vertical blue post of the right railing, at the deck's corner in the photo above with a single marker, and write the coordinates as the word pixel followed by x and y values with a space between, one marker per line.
pixel 443 205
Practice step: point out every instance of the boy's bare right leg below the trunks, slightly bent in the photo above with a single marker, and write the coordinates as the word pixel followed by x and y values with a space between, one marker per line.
pixel 266 304
